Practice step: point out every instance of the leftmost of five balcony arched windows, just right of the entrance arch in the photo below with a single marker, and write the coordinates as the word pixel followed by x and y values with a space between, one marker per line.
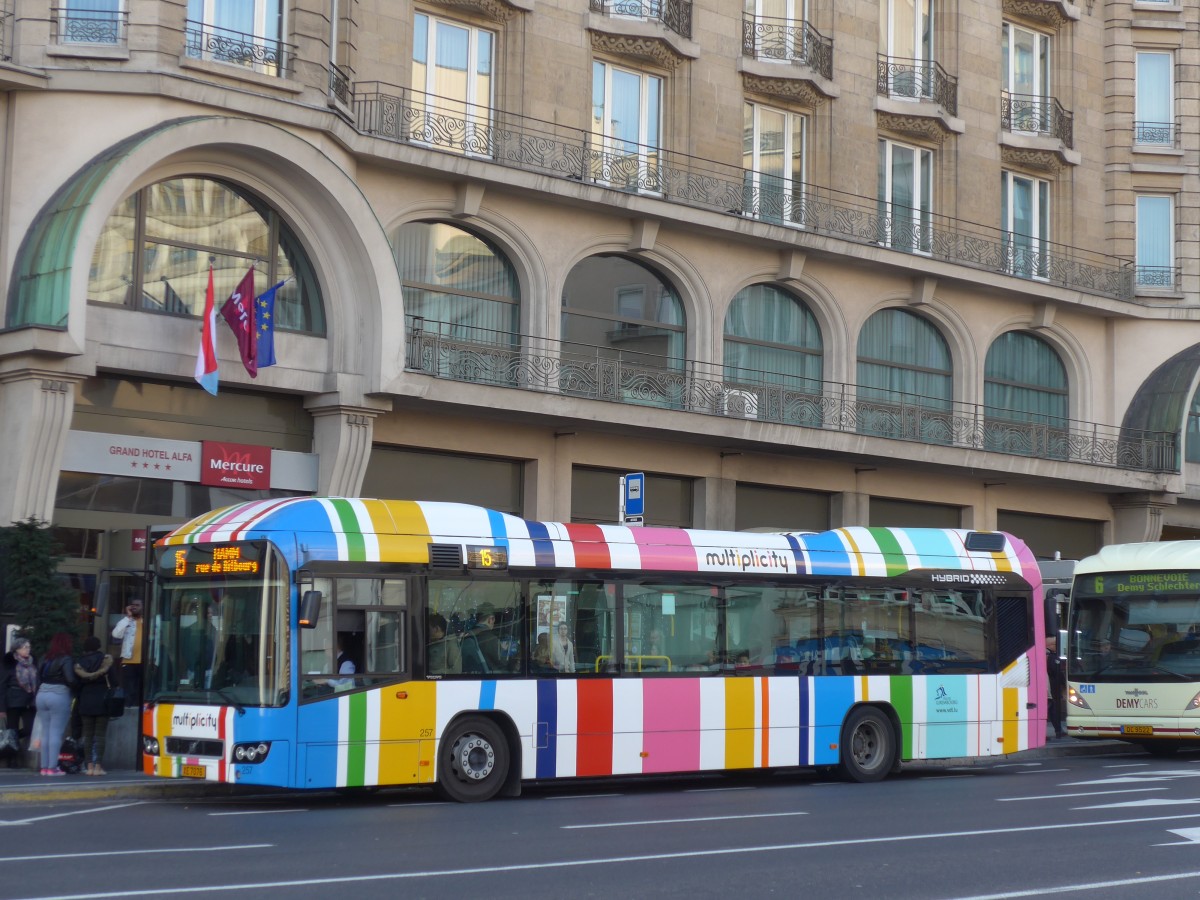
pixel 461 285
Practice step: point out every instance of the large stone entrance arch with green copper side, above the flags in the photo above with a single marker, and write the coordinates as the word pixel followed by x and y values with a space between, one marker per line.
pixel 323 206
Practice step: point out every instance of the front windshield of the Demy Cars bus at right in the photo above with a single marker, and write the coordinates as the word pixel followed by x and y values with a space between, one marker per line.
pixel 1135 639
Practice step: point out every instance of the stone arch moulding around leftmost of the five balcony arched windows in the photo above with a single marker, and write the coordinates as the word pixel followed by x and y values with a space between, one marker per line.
pixel 521 251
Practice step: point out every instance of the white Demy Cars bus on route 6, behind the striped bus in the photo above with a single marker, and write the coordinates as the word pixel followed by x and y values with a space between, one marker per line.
pixel 1133 662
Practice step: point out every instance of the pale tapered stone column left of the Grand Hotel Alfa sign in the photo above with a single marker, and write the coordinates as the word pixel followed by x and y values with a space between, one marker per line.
pixel 35 416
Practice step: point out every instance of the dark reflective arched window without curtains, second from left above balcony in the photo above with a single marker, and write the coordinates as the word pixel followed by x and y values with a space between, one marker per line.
pixel 616 309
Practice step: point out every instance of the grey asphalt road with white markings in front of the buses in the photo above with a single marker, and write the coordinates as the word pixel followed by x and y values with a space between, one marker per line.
pixel 1102 826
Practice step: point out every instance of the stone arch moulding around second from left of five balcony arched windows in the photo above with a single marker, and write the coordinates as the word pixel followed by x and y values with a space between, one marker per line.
pixel 698 304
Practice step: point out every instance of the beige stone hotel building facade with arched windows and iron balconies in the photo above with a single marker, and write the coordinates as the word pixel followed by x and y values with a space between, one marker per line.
pixel 806 263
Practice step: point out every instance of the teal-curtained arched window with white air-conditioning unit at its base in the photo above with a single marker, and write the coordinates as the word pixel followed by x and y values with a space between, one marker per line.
pixel 772 338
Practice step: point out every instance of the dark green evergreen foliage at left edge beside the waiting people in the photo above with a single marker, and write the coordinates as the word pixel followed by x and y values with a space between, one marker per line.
pixel 34 593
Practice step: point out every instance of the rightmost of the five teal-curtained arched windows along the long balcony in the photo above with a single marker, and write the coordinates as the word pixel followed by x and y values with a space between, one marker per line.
pixel 1025 398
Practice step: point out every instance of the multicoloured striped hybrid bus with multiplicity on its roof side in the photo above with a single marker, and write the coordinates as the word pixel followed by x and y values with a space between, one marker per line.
pixel 334 643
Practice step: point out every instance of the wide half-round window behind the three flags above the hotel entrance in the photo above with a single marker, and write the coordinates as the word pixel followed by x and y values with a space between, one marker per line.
pixel 157 248
